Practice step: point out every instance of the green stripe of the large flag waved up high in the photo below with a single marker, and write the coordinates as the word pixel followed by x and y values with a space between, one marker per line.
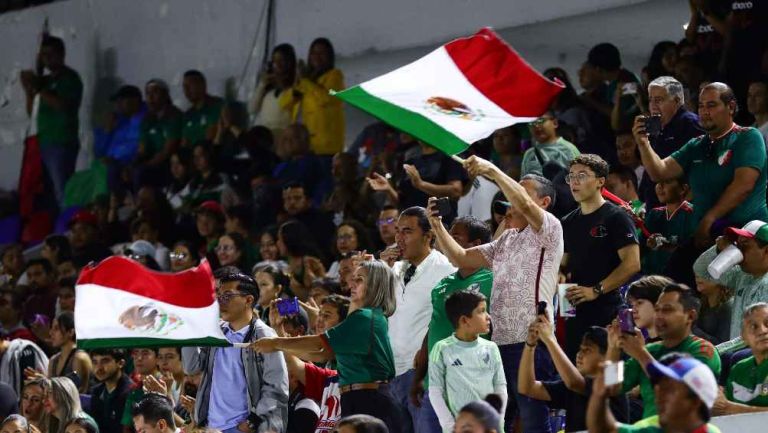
pixel 404 120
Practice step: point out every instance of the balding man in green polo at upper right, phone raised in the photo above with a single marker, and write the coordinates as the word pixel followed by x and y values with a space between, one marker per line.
pixel 726 167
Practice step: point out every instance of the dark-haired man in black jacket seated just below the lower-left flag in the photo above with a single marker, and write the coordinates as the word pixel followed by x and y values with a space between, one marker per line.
pixel 108 397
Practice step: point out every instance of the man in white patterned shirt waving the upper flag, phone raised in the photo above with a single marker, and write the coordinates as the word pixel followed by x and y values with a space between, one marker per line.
pixel 524 262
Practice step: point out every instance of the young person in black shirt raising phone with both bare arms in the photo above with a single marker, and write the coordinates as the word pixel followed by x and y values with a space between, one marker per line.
pixel 571 392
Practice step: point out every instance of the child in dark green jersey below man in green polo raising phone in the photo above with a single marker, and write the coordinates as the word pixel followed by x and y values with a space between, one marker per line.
pixel 670 225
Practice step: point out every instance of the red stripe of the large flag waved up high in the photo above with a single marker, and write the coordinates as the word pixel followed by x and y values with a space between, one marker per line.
pixel 499 73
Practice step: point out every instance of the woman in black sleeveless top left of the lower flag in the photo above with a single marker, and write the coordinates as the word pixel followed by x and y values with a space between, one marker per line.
pixel 69 361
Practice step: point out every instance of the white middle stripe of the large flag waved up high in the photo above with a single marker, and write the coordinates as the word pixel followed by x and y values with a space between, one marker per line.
pixel 436 74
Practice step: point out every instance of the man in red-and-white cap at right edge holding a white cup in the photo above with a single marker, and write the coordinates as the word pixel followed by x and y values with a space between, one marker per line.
pixel 750 277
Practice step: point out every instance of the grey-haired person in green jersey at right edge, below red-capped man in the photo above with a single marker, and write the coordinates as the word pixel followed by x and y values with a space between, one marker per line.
pixel 747 387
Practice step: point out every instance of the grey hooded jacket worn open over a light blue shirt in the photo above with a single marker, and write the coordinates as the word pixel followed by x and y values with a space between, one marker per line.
pixel 266 376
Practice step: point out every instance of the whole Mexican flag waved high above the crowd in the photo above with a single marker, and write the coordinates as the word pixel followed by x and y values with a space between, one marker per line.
pixel 457 94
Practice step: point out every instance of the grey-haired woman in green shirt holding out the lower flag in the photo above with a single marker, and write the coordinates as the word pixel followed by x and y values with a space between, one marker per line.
pixel 359 344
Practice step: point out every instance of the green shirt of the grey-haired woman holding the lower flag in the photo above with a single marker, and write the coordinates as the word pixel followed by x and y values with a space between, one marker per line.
pixel 361 345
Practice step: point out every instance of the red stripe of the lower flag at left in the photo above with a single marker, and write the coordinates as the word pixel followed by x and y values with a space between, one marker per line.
pixel 192 288
